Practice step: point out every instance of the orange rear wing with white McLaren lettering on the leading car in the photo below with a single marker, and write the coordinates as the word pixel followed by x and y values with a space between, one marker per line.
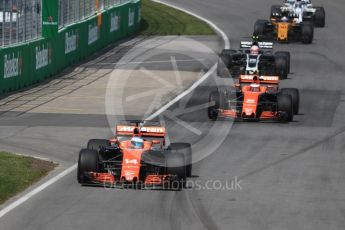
pixel 143 131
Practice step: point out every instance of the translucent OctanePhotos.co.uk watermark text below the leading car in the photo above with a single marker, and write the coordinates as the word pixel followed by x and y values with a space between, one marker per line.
pixel 232 185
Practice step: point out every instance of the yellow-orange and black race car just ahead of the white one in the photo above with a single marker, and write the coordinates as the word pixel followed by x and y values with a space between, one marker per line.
pixel 285 28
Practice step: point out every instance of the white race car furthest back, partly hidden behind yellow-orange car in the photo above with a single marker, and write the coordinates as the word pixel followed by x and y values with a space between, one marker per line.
pixel 302 11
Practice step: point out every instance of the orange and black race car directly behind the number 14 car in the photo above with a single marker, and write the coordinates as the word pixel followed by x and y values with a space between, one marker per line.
pixel 254 98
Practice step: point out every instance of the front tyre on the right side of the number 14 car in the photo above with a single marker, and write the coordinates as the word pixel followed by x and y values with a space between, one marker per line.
pixel 175 165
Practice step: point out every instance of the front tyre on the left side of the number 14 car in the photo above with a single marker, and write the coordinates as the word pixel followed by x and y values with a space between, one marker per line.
pixel 87 162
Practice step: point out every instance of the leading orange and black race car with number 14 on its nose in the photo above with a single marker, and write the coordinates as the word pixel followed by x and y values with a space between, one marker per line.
pixel 137 157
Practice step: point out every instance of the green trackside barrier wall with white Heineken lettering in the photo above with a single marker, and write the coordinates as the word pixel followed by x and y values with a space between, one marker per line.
pixel 24 64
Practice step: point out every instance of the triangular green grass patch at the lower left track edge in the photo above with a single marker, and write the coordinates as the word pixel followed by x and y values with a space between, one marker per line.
pixel 19 172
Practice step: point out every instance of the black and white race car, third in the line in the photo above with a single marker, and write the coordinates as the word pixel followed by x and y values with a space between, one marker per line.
pixel 254 58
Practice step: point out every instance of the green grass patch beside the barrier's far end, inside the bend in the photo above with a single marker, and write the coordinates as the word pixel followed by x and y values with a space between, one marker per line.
pixel 158 19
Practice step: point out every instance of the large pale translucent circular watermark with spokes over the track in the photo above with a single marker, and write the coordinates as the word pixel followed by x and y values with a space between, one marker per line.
pixel 158 71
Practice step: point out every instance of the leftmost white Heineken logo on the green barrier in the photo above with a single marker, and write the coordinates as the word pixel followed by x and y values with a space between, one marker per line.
pixel 12 65
